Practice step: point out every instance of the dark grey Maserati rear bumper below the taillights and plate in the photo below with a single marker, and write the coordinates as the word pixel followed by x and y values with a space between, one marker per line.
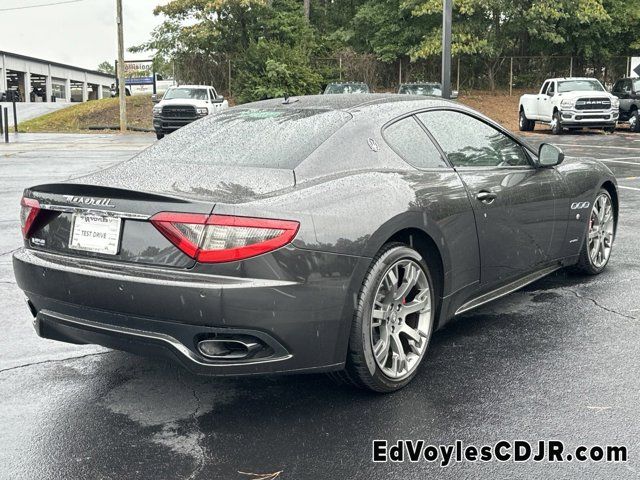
pixel 297 326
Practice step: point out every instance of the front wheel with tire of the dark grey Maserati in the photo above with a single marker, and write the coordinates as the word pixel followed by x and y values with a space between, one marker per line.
pixel 598 242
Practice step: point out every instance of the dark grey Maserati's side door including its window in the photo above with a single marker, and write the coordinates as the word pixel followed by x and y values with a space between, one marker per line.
pixel 518 223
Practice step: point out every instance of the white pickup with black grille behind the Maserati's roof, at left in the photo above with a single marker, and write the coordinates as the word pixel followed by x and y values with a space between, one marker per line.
pixel 185 104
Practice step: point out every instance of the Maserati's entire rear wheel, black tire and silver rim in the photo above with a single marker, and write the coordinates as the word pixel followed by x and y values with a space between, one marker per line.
pixel 393 321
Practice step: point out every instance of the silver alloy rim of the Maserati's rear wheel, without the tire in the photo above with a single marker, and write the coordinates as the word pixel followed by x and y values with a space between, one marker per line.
pixel 401 319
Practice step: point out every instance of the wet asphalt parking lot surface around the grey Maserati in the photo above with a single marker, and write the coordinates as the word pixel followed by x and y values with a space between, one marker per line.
pixel 559 360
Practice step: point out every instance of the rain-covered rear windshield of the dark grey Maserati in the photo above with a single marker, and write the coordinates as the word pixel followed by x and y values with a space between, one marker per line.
pixel 273 138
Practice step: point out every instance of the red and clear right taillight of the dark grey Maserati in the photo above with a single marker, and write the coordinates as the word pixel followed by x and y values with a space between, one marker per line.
pixel 223 238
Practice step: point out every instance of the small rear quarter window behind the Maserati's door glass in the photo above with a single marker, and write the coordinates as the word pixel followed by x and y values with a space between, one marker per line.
pixel 409 140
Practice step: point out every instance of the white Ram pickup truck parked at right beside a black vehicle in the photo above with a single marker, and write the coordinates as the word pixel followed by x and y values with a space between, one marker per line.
pixel 571 103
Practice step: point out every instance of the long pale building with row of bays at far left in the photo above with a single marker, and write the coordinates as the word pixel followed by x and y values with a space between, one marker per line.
pixel 38 80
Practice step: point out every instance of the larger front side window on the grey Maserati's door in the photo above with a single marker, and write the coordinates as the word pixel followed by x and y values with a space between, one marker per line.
pixel 470 142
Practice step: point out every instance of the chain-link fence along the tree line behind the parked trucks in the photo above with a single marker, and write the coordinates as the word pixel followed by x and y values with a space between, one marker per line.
pixel 469 72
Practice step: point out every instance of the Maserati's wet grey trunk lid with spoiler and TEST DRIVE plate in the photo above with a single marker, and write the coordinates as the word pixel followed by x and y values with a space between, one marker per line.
pixel 115 206
